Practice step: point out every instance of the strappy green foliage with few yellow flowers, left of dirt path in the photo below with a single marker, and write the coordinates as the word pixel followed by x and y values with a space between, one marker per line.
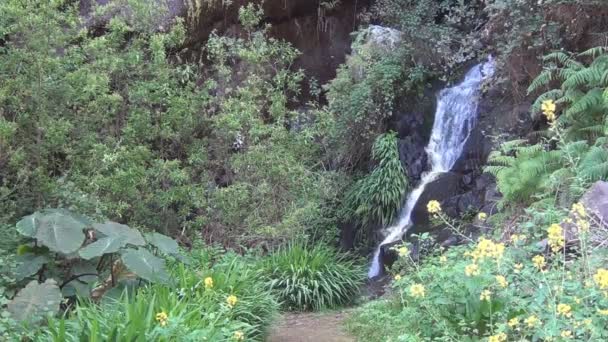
pixel 219 301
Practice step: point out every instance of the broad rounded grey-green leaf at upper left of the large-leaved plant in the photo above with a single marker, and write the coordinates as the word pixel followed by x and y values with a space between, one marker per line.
pixel 60 232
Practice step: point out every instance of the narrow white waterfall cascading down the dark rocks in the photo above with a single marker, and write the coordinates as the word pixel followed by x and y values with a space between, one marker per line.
pixel 455 118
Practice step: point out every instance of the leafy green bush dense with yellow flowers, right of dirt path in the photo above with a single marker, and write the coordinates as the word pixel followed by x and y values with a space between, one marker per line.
pixel 498 290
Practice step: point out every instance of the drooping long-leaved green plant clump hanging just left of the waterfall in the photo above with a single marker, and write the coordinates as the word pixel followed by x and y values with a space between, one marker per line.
pixel 379 195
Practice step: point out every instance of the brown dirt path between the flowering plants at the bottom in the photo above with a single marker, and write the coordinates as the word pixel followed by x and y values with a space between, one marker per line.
pixel 311 327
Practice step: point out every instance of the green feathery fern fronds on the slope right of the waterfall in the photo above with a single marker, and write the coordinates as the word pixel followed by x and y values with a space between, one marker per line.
pixel 574 153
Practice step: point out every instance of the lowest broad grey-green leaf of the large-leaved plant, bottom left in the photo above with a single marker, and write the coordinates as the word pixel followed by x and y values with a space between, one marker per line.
pixel 36 301
